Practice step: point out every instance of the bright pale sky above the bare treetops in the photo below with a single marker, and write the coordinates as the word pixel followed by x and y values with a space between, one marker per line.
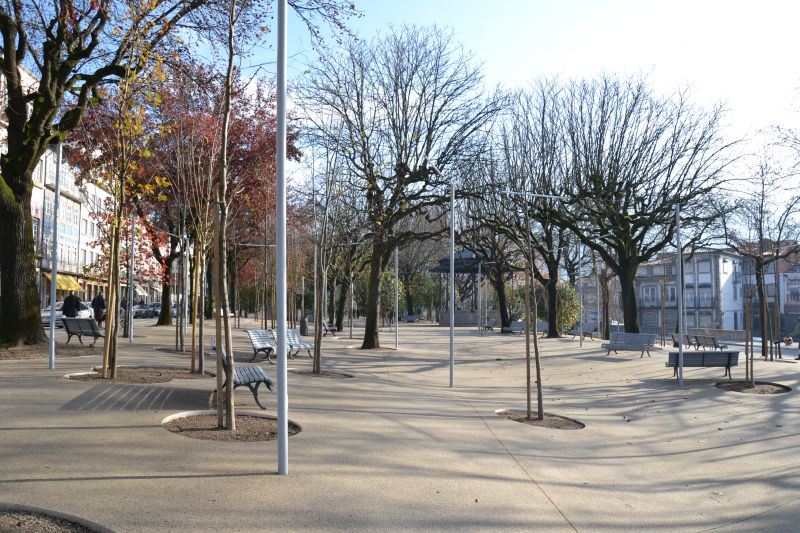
pixel 743 54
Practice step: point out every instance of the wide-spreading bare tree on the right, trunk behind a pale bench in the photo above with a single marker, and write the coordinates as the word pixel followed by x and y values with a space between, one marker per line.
pixel 633 157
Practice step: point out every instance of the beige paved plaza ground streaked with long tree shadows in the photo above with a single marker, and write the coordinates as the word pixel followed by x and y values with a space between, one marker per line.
pixel 395 449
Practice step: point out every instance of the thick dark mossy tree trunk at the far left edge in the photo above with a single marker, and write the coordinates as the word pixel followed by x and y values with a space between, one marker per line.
pixel 20 319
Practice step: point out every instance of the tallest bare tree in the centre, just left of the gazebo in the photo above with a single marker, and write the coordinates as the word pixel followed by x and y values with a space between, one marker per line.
pixel 408 101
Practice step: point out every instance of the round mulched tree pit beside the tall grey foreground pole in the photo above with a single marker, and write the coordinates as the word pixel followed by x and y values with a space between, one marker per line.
pixel 249 428
